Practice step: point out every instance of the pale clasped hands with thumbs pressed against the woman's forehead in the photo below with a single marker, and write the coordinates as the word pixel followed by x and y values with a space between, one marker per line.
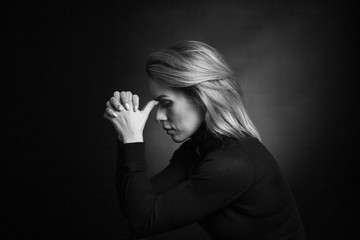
pixel 122 110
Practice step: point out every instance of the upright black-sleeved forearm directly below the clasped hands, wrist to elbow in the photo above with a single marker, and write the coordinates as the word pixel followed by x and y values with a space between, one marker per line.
pixel 136 196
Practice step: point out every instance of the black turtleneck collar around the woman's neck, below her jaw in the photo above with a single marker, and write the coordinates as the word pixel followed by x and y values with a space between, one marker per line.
pixel 205 140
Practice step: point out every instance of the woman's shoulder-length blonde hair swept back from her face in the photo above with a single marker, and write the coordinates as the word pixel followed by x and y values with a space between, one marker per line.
pixel 199 71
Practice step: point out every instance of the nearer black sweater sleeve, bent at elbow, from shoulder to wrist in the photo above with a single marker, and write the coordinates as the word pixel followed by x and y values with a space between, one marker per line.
pixel 214 185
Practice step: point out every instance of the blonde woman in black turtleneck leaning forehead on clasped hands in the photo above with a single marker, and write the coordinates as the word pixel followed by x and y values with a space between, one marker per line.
pixel 221 176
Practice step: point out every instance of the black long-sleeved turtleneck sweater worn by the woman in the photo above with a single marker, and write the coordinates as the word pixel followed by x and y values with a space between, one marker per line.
pixel 233 188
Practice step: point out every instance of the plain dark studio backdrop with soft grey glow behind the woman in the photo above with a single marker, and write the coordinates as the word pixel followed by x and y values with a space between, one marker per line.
pixel 63 60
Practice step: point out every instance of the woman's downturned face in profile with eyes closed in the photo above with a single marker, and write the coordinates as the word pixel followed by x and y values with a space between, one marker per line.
pixel 180 116
